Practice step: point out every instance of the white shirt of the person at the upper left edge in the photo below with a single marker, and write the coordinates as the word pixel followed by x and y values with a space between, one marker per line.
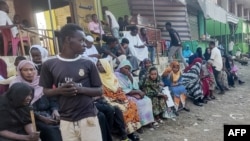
pixel 5 20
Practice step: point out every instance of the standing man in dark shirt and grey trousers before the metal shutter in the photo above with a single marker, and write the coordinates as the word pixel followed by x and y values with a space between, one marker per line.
pixel 175 45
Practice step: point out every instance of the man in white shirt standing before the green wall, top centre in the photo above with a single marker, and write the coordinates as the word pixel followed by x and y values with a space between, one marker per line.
pixel 111 20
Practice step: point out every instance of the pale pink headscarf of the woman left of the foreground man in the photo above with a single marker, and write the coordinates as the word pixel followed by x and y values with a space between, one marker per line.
pixel 35 83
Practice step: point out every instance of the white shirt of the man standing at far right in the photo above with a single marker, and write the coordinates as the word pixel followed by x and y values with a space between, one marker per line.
pixel 216 58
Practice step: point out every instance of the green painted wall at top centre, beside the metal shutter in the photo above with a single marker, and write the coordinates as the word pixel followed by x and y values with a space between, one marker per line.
pixel 118 7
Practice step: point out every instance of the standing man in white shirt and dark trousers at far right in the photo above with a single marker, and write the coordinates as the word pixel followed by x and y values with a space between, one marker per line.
pixel 217 64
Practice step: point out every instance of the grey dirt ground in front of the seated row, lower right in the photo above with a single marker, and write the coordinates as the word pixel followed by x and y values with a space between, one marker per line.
pixel 206 123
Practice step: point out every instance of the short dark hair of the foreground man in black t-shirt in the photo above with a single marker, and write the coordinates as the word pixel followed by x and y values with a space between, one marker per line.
pixel 68 30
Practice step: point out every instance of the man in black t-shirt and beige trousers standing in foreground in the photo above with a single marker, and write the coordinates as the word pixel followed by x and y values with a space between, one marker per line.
pixel 76 81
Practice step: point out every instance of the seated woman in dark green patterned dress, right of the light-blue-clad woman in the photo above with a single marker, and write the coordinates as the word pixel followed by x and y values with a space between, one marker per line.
pixel 153 86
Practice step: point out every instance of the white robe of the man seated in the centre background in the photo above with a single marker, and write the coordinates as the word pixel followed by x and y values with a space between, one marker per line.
pixel 139 53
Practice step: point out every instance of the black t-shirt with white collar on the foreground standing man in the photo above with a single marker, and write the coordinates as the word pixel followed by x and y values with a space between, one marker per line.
pixel 57 72
